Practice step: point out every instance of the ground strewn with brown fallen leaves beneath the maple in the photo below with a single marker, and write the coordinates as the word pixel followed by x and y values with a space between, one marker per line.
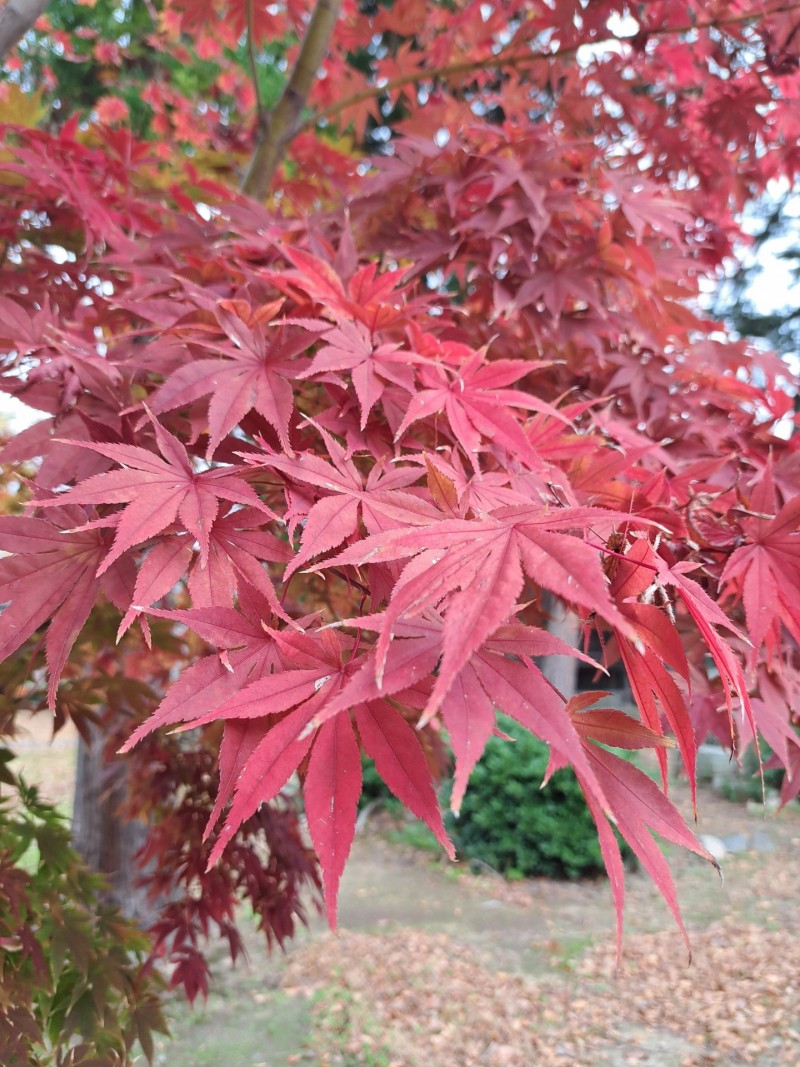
pixel 437 967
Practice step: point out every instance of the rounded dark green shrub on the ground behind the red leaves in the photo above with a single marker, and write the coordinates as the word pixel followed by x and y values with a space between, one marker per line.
pixel 518 829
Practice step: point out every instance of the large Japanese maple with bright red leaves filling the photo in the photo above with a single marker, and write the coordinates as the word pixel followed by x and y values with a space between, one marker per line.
pixel 349 434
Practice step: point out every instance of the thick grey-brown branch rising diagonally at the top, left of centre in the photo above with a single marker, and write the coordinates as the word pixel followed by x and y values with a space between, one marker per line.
pixel 281 125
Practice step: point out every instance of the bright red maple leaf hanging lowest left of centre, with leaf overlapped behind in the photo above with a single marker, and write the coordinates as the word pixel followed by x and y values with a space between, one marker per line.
pixel 269 709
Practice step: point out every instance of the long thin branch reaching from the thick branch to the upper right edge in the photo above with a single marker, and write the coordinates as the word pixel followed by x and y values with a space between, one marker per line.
pixel 508 60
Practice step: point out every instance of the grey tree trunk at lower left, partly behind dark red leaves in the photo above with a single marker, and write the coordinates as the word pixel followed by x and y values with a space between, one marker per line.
pixel 107 842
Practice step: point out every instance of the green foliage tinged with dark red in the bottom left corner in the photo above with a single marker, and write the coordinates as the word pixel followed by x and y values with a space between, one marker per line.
pixel 76 989
